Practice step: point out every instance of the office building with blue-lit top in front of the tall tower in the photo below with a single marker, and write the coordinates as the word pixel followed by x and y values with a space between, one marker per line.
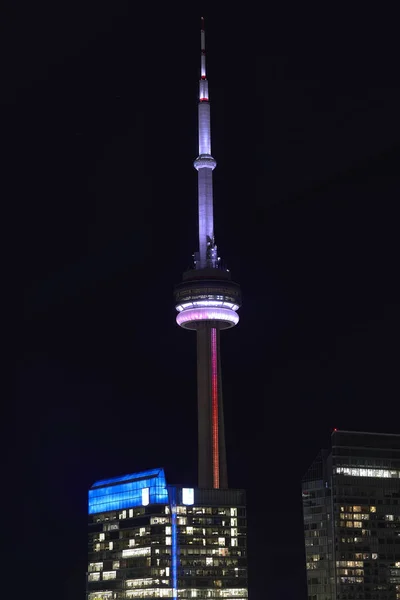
pixel 148 539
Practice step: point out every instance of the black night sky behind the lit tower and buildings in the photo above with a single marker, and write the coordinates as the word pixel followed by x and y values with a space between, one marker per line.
pixel 100 133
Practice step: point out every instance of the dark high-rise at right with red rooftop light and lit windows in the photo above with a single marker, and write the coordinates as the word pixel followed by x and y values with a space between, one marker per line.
pixel 351 510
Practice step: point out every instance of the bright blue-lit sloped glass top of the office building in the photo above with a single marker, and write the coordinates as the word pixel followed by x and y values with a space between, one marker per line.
pixel 126 491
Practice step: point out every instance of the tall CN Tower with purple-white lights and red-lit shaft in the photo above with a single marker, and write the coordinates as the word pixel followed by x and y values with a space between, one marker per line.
pixel 207 302
